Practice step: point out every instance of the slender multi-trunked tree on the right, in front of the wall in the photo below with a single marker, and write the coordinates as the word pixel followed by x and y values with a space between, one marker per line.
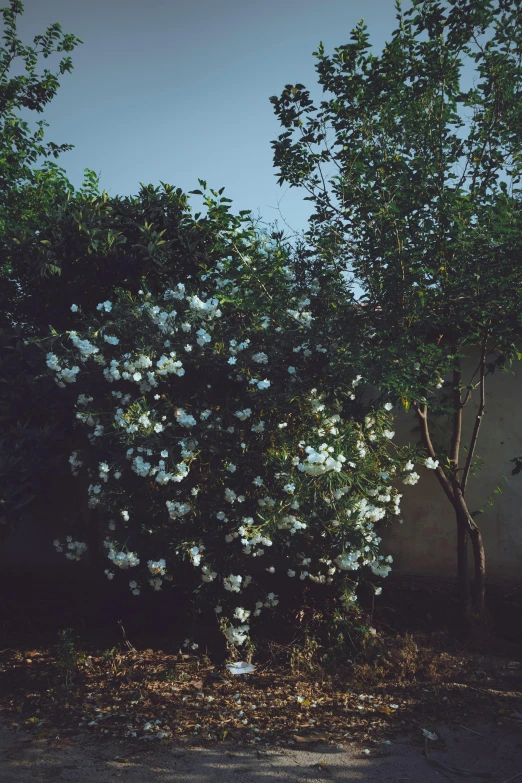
pixel 423 205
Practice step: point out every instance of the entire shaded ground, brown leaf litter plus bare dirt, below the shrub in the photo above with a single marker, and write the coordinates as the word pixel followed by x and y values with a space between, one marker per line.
pixel 86 711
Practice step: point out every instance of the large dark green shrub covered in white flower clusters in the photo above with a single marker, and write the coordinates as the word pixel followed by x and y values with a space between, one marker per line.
pixel 223 434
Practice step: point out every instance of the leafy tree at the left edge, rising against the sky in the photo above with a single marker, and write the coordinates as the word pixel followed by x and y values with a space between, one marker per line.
pixel 31 432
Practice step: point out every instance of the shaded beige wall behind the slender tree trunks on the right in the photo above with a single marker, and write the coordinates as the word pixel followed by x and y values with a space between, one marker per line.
pixel 426 542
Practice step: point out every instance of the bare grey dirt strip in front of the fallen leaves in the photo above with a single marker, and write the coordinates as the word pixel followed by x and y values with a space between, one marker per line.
pixel 494 753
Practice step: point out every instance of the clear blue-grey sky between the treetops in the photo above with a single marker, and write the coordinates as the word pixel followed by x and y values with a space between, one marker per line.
pixel 173 90
